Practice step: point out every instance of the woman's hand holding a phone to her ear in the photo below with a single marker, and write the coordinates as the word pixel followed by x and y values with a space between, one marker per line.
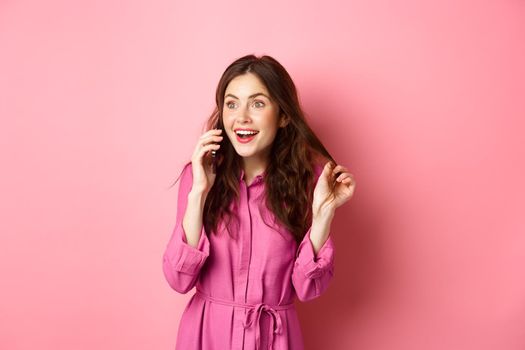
pixel 201 160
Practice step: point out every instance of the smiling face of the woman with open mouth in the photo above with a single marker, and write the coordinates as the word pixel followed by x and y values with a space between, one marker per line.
pixel 248 106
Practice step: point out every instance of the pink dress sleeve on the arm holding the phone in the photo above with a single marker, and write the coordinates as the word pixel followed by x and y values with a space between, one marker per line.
pixel 181 262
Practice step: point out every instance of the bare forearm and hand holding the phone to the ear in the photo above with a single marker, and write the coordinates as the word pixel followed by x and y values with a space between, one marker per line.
pixel 203 179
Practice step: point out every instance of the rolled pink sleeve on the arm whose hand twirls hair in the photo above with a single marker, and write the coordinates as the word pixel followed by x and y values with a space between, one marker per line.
pixel 312 273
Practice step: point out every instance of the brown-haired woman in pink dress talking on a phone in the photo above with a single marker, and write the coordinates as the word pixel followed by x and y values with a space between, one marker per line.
pixel 253 216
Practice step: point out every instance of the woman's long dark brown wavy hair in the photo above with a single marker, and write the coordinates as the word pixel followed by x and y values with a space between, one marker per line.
pixel 289 178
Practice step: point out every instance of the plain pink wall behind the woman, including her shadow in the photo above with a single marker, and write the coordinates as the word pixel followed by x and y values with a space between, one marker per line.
pixel 103 101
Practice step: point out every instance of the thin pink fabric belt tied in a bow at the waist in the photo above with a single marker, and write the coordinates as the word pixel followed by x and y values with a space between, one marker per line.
pixel 254 314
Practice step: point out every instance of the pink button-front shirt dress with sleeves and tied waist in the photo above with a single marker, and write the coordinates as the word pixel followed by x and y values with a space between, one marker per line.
pixel 245 288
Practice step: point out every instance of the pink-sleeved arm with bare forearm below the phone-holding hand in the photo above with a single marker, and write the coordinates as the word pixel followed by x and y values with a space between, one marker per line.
pixel 188 246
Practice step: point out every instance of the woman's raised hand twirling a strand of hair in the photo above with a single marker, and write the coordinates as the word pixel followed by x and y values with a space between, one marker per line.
pixel 323 203
